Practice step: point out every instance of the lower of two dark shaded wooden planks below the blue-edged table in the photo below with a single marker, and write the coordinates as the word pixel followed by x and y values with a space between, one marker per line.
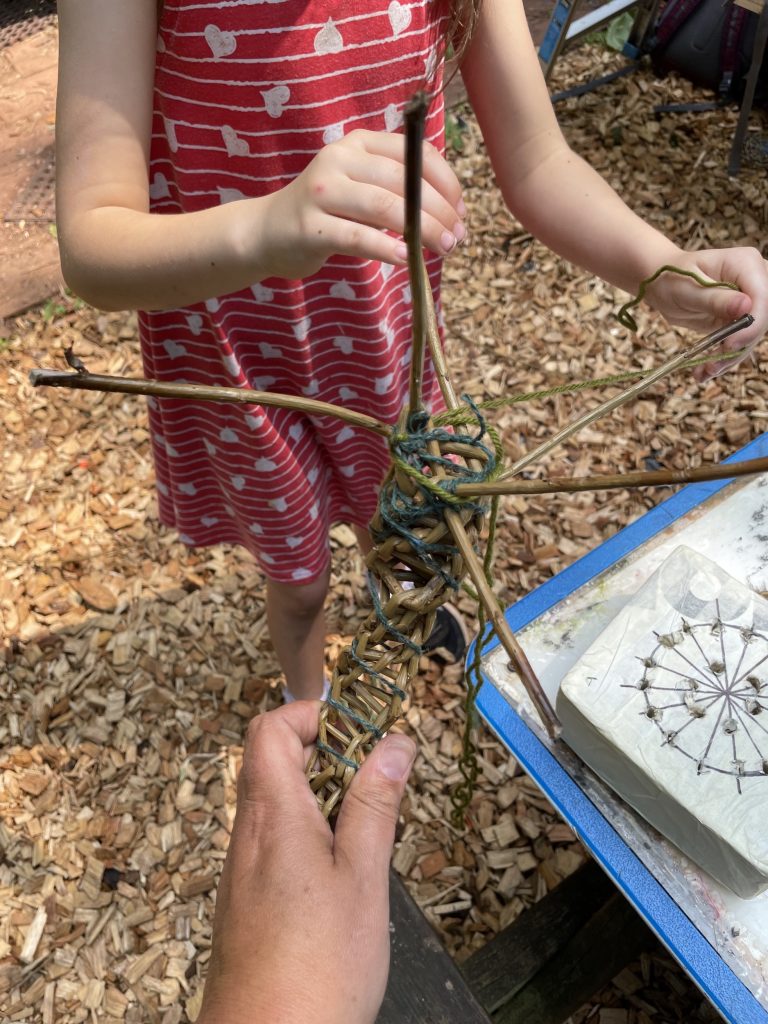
pixel 616 936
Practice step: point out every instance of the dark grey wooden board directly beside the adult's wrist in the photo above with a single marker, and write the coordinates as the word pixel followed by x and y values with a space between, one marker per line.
pixel 425 987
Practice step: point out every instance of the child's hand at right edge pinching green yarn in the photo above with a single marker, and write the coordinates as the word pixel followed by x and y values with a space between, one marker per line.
pixel 687 304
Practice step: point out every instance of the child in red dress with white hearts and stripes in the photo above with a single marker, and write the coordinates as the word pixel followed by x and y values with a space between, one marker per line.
pixel 235 168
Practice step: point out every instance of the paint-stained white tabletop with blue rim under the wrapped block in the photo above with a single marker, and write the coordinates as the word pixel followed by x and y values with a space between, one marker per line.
pixel 720 941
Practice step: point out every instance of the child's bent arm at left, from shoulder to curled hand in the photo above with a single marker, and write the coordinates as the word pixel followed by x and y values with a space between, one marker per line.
pixel 116 254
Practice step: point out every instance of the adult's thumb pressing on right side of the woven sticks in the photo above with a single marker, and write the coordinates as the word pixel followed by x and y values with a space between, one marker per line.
pixel 365 832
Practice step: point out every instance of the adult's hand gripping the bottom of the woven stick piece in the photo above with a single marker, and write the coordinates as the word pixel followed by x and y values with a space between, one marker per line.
pixel 302 931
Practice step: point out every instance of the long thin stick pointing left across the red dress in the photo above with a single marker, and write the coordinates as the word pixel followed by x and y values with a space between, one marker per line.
pixel 206 393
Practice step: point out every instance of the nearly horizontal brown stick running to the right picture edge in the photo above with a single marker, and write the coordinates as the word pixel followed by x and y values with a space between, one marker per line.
pixel 615 482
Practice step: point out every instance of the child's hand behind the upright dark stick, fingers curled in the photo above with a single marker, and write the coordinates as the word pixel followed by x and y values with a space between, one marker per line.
pixel 348 197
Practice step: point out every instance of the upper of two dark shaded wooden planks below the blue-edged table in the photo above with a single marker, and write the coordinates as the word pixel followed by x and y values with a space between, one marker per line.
pixel 505 965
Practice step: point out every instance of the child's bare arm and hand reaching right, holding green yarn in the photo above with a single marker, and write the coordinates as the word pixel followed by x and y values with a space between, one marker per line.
pixel 571 208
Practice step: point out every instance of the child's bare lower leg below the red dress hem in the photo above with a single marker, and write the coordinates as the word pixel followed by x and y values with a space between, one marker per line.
pixel 297 628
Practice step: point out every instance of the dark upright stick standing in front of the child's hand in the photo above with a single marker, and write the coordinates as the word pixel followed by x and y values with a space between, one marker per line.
pixel 415 116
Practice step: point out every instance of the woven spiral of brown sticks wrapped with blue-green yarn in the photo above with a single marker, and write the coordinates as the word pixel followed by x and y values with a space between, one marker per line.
pixel 413 570
